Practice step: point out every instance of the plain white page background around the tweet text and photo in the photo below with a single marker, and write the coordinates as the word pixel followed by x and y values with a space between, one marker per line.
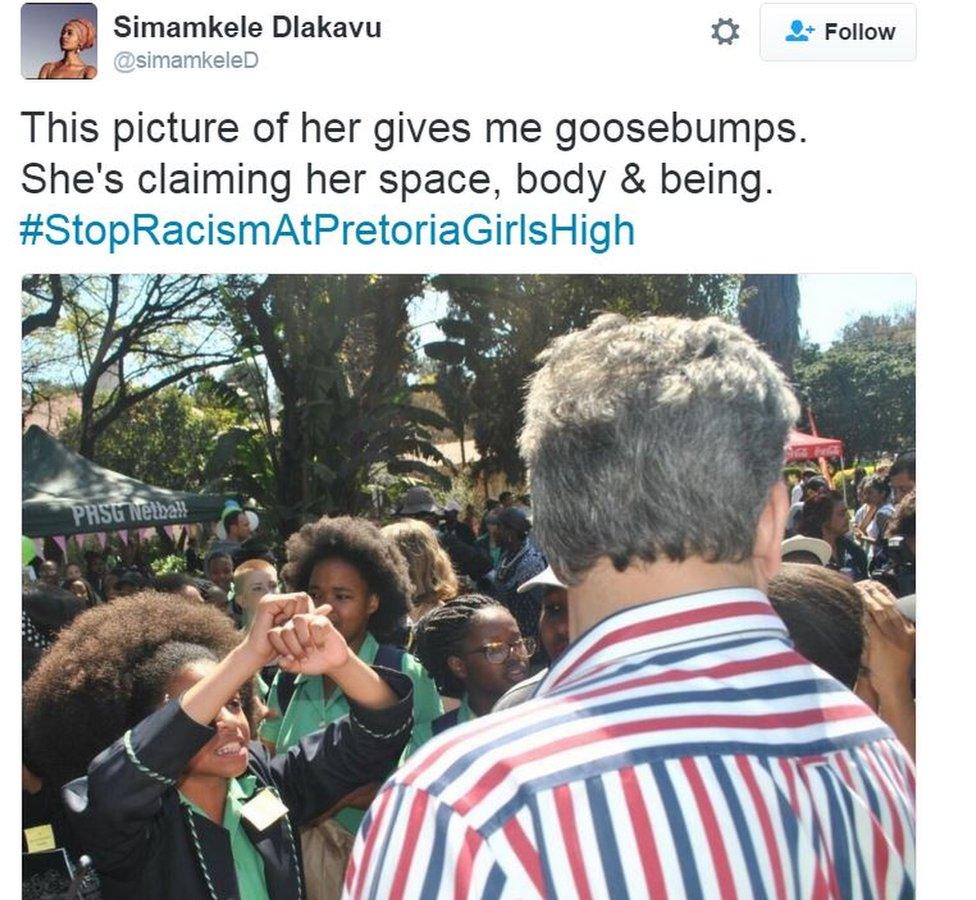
pixel 883 184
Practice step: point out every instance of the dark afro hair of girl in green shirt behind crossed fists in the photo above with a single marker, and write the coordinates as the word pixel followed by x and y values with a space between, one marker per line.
pixel 362 545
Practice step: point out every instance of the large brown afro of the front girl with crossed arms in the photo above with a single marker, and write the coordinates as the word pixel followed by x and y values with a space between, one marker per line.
pixel 89 687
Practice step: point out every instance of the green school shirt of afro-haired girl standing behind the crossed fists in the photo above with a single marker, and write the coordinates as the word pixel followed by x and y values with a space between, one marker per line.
pixel 310 710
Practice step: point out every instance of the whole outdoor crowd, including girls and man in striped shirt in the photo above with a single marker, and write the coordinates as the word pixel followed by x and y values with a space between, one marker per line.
pixel 546 699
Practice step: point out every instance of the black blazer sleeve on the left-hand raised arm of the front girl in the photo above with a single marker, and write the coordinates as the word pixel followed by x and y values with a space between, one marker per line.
pixel 114 810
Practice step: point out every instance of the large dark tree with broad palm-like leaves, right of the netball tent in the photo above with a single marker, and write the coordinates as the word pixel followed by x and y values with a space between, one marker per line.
pixel 333 406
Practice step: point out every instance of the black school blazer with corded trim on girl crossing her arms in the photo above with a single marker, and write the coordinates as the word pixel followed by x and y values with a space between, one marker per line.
pixel 127 815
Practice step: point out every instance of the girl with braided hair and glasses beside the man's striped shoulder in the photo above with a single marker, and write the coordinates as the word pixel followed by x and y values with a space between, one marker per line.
pixel 474 650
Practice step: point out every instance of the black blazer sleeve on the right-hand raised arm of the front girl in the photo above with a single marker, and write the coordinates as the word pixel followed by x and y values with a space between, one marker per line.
pixel 352 751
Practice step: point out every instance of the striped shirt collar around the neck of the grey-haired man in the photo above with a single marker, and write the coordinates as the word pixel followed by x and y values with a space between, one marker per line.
pixel 661 625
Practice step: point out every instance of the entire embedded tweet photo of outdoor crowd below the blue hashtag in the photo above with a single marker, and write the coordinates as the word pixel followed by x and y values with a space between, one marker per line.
pixel 282 514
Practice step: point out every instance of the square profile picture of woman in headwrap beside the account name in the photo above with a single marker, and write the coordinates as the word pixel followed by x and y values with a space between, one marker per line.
pixel 58 40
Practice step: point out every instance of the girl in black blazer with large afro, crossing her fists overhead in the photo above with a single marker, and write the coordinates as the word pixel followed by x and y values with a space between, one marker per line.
pixel 180 804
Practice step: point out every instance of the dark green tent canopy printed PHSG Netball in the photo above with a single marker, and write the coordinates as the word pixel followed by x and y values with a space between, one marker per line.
pixel 64 493
